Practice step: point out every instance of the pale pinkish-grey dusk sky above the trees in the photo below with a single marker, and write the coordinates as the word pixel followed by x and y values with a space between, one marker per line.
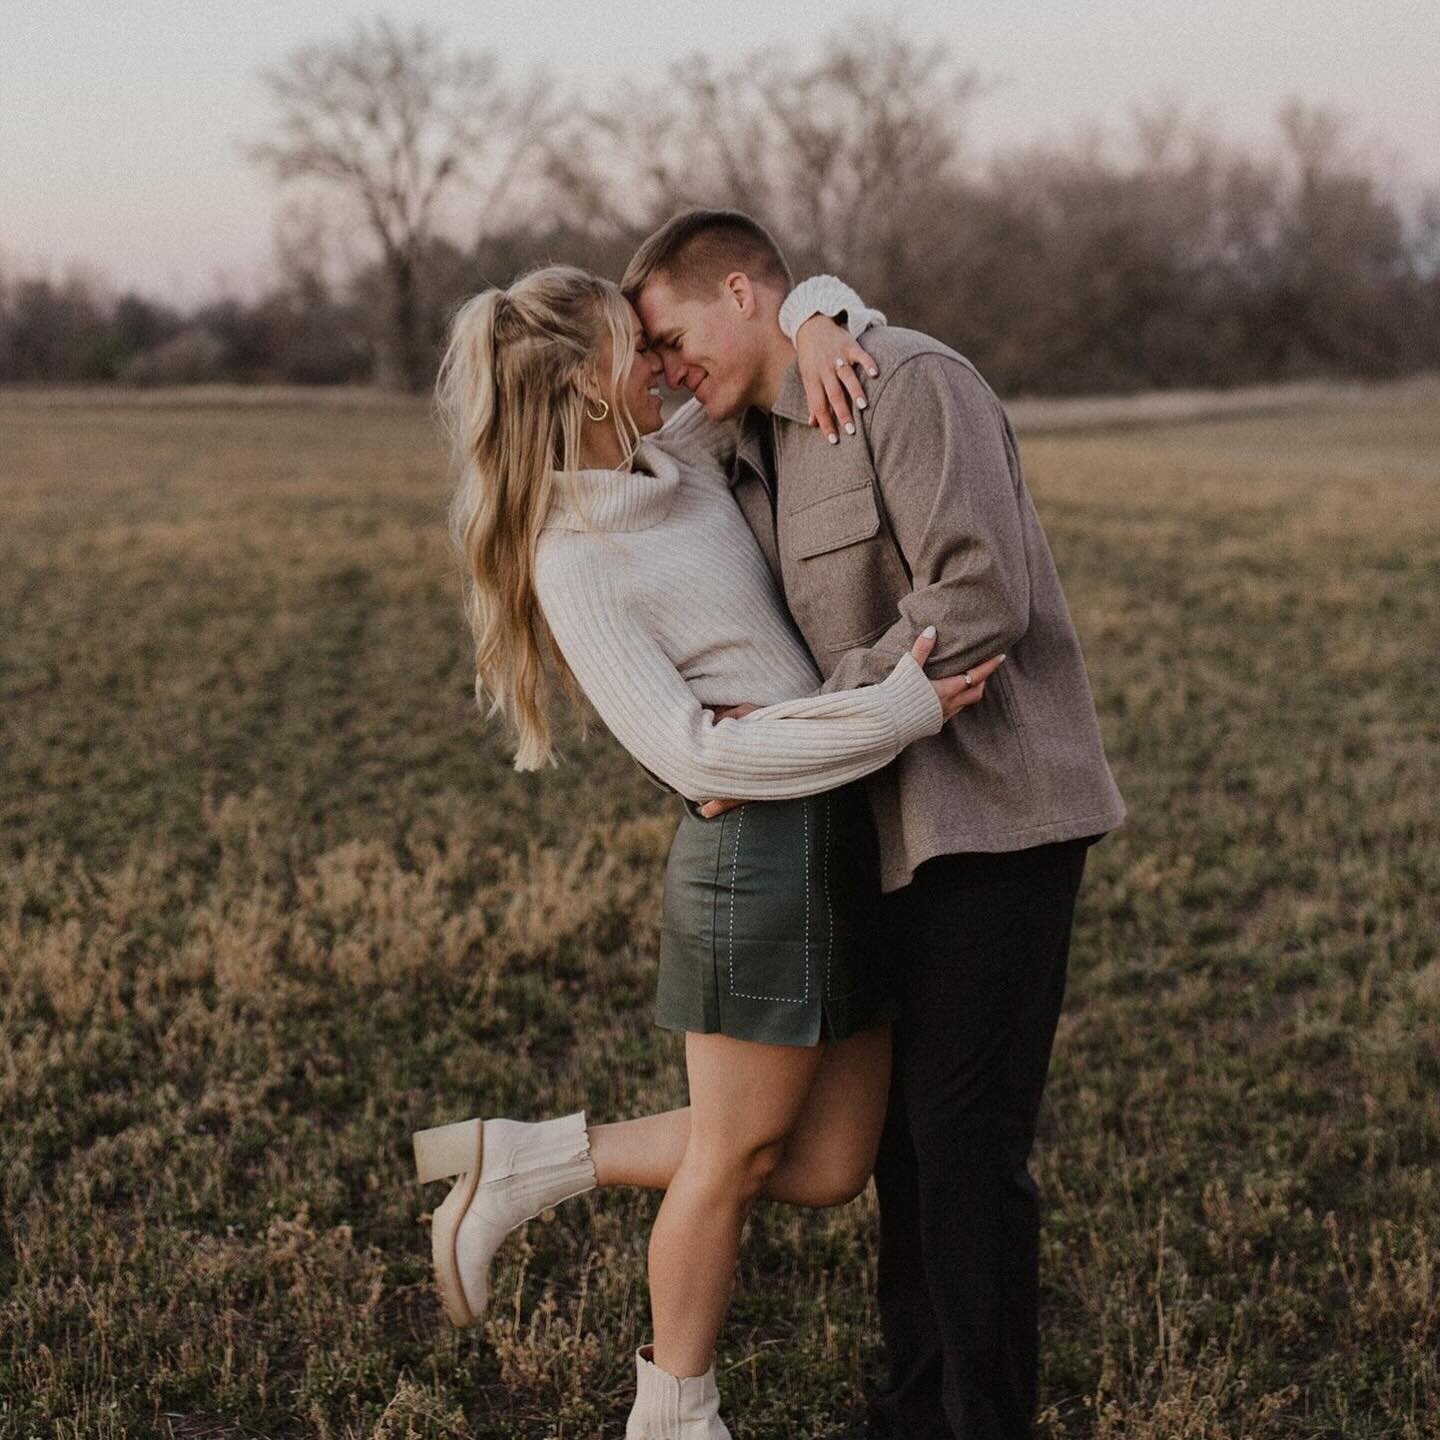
pixel 120 120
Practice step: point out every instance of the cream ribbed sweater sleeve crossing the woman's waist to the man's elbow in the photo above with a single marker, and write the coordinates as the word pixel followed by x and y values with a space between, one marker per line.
pixel 780 752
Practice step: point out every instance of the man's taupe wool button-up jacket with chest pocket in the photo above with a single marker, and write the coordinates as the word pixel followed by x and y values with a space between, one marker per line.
pixel 924 519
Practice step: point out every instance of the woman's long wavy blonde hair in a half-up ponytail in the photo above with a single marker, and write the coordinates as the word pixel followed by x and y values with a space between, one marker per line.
pixel 510 395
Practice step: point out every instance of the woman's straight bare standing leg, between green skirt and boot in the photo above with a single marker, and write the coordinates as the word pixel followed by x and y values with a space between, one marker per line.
pixel 745 1099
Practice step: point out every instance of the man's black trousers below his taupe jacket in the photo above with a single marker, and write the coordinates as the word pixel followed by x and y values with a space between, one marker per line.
pixel 981 945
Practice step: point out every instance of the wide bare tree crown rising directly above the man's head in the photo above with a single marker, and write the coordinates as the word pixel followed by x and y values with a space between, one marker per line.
pixel 836 155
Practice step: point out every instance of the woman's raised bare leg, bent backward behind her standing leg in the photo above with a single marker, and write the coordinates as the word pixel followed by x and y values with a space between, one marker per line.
pixel 827 1157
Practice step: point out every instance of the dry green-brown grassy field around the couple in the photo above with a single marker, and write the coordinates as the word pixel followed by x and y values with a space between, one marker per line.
pixel 271 898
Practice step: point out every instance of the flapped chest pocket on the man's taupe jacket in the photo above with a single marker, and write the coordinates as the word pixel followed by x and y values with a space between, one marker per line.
pixel 843 577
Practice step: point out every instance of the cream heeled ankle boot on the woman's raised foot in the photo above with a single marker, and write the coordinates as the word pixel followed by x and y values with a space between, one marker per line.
pixel 509 1173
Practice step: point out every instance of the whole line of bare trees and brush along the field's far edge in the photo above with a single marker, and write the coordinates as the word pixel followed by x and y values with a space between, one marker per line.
pixel 1164 257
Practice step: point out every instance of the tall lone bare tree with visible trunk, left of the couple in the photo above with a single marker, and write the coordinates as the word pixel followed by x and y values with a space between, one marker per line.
pixel 397 123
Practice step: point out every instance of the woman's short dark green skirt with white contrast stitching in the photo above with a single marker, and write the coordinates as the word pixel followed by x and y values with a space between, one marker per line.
pixel 770 927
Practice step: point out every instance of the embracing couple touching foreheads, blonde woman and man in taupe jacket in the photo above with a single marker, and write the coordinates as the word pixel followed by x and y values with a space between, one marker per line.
pixel 819 606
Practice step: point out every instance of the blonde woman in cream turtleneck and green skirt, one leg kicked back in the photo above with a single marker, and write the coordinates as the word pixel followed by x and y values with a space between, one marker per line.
pixel 603 541
